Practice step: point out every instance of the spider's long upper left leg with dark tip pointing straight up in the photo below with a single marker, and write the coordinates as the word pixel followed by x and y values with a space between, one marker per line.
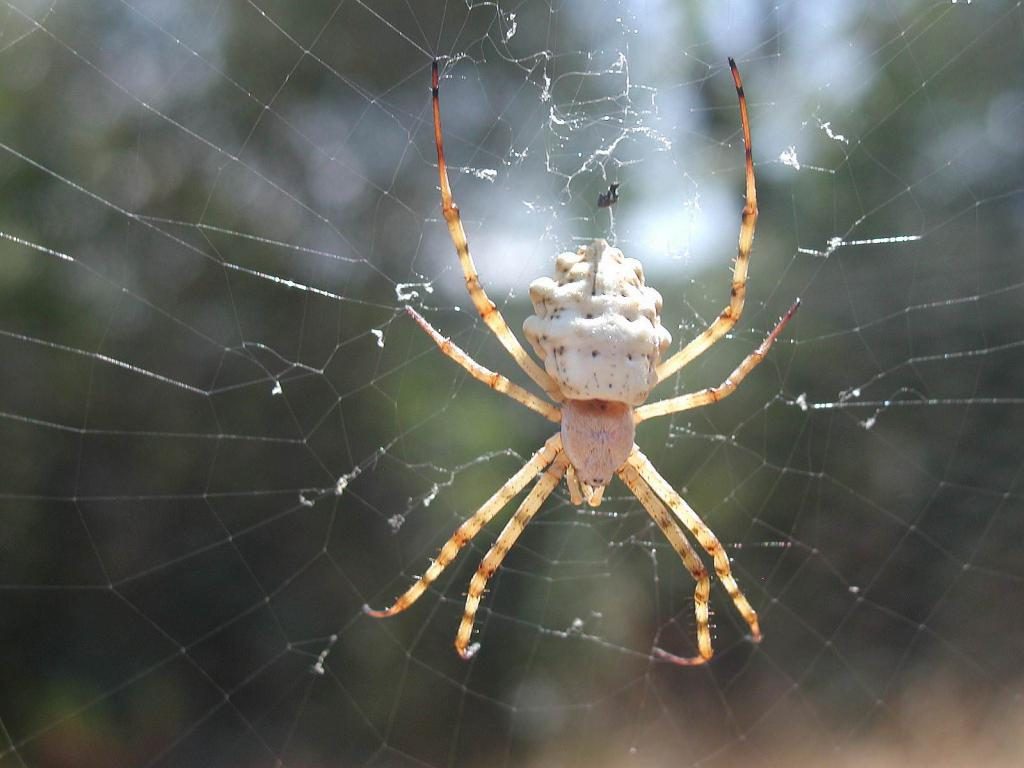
pixel 489 313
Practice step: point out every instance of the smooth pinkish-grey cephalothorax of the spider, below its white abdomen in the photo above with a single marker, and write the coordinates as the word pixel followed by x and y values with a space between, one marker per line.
pixel 598 438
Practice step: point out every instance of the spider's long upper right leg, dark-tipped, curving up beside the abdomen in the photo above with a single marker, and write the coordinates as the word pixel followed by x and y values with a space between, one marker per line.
pixel 724 323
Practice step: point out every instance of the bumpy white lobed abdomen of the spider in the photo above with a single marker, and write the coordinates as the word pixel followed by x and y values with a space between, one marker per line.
pixel 599 327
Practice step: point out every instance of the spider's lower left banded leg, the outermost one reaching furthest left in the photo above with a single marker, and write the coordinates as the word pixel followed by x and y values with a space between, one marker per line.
pixel 465 533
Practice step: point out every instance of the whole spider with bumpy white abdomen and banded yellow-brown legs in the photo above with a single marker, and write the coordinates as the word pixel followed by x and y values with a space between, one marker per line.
pixel 598 329
